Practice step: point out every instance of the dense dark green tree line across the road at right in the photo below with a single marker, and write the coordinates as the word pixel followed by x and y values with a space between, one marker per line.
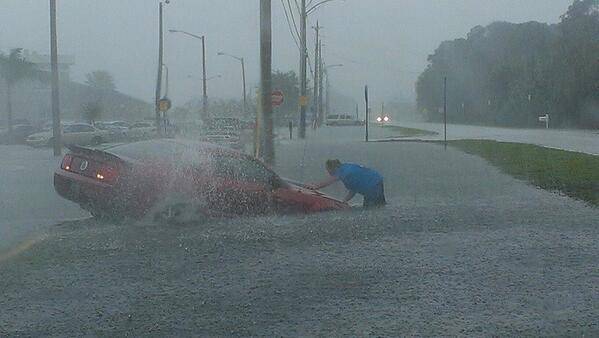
pixel 508 74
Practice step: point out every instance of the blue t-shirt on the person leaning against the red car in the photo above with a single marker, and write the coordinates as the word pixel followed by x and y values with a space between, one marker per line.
pixel 358 179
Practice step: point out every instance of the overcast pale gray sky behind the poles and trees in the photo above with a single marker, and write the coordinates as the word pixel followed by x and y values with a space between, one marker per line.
pixel 381 42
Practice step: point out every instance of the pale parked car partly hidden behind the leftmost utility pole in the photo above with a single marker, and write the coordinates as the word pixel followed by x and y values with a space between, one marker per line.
pixel 72 134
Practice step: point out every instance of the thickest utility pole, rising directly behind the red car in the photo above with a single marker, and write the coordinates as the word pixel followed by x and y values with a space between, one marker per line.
pixel 265 115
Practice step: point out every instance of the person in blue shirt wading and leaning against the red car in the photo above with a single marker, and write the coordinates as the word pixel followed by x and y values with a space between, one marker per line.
pixel 357 179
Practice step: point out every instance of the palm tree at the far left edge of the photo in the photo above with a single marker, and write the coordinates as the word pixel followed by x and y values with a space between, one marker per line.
pixel 14 68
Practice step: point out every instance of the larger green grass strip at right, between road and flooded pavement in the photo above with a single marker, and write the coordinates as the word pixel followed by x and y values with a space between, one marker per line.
pixel 572 173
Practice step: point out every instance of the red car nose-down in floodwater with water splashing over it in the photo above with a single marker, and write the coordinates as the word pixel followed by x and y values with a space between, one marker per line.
pixel 176 179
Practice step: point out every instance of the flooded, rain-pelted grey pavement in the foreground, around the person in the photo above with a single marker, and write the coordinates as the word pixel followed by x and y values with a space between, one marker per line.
pixel 461 249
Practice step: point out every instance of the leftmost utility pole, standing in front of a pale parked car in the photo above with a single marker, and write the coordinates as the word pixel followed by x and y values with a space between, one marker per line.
pixel 56 130
